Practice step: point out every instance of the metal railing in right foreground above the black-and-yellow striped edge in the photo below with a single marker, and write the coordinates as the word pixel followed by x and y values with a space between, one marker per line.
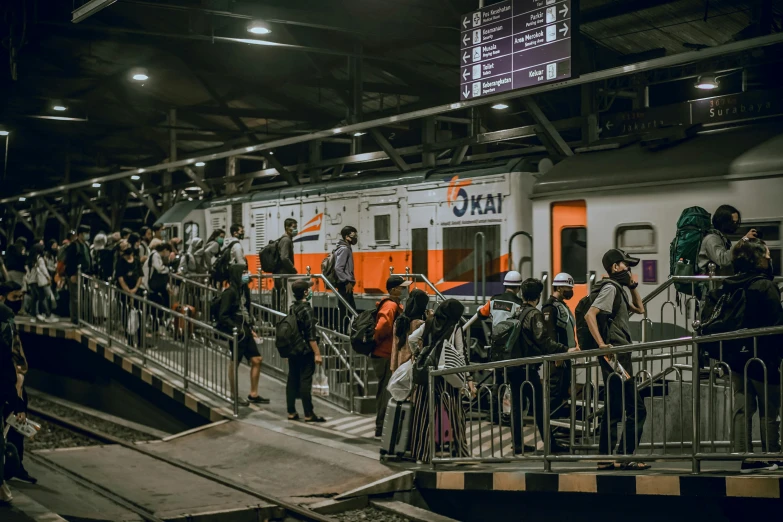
pixel 695 419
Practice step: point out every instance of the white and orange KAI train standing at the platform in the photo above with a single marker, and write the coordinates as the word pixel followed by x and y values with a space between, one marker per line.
pixel 465 227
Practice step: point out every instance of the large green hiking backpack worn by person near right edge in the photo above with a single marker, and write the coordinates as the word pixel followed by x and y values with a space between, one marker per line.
pixel 693 225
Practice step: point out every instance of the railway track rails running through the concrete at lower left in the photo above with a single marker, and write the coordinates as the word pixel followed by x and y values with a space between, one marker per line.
pixel 292 511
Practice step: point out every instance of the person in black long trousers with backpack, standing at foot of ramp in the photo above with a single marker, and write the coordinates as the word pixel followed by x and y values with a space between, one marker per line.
pixel 301 368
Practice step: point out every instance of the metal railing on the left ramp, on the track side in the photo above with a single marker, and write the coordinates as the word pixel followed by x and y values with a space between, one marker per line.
pixel 184 346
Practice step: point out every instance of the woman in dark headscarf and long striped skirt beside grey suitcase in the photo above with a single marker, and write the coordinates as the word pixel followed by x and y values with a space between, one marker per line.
pixel 441 327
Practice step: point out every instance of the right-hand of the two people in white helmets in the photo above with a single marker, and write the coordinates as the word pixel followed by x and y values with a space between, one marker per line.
pixel 561 325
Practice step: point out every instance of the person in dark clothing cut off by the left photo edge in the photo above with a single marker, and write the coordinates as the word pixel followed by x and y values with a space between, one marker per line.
pixel 9 394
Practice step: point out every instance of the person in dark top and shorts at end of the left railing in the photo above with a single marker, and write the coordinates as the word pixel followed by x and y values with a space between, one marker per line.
pixel 235 314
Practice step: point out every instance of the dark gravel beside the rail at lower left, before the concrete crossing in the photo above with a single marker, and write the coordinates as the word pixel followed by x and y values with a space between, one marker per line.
pixel 54 436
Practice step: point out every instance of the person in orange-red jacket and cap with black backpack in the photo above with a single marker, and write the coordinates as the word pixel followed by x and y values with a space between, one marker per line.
pixel 388 310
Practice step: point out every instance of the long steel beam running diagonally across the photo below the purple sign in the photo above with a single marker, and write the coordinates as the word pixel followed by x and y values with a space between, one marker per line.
pixel 625 70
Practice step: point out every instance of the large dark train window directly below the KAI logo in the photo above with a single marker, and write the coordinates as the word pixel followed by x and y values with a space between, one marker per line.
pixel 459 251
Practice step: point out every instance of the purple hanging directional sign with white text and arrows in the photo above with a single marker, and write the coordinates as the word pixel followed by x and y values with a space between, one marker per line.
pixel 515 44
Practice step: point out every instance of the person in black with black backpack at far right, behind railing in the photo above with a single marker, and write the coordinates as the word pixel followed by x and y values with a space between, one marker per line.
pixel 752 267
